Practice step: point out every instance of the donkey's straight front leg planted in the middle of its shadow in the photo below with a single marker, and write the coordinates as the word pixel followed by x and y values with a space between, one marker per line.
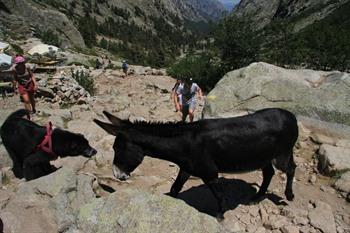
pixel 218 193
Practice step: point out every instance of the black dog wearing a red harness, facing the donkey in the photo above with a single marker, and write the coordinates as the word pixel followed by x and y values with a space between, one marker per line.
pixel 23 140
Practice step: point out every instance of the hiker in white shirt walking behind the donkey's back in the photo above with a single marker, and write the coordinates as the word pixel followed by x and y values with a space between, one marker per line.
pixel 188 98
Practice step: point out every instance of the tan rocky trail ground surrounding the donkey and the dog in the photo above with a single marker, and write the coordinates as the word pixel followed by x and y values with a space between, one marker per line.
pixel 318 206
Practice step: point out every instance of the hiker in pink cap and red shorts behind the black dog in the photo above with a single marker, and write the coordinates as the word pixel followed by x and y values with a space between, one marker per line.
pixel 25 81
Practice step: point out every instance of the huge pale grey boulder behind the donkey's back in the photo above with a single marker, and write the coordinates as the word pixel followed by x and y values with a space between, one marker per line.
pixel 318 95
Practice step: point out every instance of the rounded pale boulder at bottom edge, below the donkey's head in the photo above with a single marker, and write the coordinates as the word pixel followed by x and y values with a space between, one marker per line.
pixel 137 211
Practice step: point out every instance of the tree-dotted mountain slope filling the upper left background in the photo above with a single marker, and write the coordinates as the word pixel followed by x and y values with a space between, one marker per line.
pixel 144 31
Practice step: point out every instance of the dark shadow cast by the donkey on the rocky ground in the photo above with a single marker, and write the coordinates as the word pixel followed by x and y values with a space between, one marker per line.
pixel 236 192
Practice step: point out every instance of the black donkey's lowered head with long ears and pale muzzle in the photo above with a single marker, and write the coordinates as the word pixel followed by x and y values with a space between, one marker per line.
pixel 127 155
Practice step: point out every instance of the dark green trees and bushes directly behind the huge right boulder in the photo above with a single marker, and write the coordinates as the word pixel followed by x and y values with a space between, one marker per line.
pixel 323 45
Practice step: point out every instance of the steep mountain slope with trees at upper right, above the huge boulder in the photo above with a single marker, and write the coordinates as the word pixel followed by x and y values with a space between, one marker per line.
pixel 309 34
